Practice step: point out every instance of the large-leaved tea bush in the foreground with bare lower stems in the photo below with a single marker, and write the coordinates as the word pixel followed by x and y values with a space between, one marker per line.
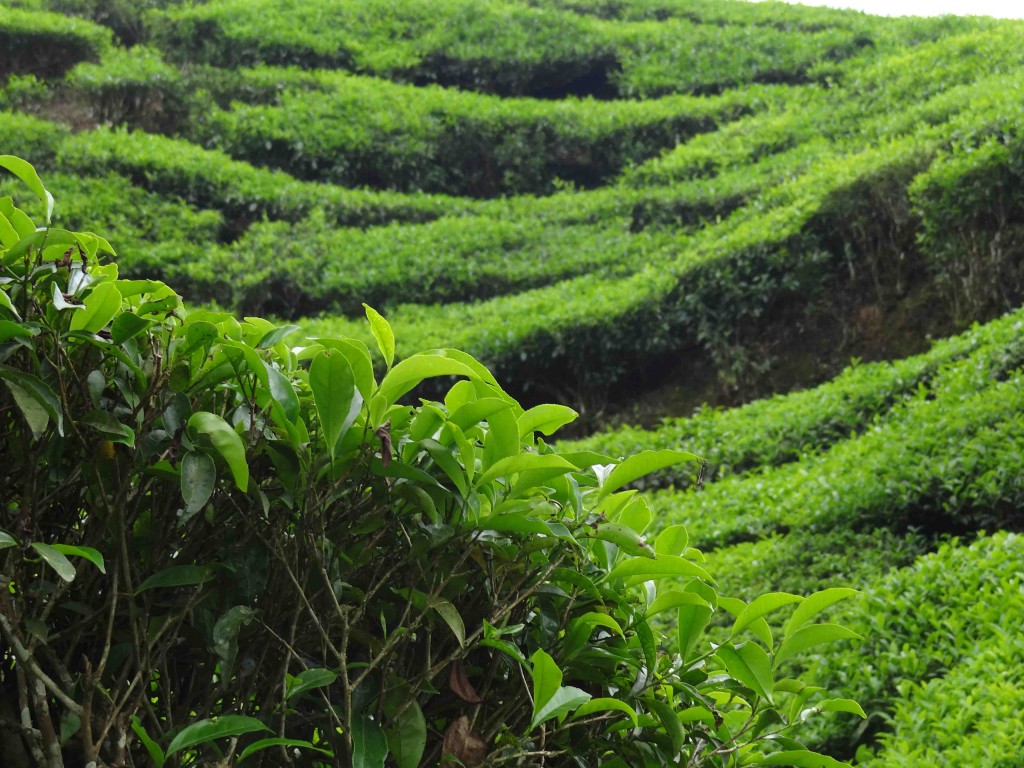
pixel 219 546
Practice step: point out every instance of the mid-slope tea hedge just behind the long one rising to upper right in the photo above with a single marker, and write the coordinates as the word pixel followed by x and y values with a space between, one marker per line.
pixel 312 267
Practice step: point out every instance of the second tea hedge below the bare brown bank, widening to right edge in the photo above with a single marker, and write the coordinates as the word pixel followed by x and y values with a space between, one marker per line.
pixel 950 460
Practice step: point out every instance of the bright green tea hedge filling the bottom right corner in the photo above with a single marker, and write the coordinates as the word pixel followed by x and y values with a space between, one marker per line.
pixel 942 653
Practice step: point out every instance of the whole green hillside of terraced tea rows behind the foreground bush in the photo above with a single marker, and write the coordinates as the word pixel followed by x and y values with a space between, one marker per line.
pixel 638 208
